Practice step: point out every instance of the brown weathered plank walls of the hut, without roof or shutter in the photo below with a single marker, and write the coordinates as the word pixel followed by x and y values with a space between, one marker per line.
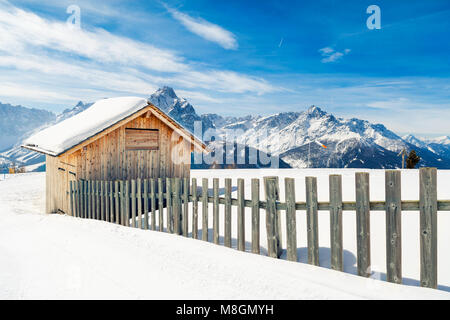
pixel 107 159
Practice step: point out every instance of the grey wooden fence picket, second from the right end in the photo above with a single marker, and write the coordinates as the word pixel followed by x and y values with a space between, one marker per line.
pixel 393 226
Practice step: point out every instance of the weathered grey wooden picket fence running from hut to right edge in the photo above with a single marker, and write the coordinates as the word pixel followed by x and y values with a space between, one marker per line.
pixel 138 203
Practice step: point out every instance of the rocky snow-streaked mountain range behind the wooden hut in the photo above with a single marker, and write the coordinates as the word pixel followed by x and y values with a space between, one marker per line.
pixel 295 137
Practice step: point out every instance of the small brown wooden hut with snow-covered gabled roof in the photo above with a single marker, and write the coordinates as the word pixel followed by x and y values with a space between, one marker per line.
pixel 115 139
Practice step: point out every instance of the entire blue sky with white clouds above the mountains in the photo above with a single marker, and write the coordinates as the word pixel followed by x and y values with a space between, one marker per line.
pixel 236 57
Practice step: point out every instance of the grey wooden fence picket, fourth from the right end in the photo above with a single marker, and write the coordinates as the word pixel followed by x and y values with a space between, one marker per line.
pixel 336 222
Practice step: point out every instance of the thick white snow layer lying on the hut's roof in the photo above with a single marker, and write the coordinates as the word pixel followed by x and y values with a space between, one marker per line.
pixel 72 131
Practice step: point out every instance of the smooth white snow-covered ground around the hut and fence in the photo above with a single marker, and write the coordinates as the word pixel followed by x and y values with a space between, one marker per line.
pixel 53 256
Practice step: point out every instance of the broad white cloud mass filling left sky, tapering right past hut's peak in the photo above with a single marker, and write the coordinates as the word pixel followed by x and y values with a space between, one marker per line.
pixel 97 62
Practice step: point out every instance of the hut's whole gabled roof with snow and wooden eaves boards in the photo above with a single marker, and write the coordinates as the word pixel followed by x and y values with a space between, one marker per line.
pixel 98 120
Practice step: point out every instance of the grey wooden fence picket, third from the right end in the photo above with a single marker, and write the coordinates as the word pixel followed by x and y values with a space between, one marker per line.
pixel 362 189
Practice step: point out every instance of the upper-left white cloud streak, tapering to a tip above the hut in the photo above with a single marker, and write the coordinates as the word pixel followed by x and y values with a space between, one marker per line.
pixel 21 30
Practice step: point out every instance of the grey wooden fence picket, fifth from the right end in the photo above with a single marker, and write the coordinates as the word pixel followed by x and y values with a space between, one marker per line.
pixel 312 220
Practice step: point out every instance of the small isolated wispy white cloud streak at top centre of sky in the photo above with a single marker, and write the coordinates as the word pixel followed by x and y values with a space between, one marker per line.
pixel 205 29
